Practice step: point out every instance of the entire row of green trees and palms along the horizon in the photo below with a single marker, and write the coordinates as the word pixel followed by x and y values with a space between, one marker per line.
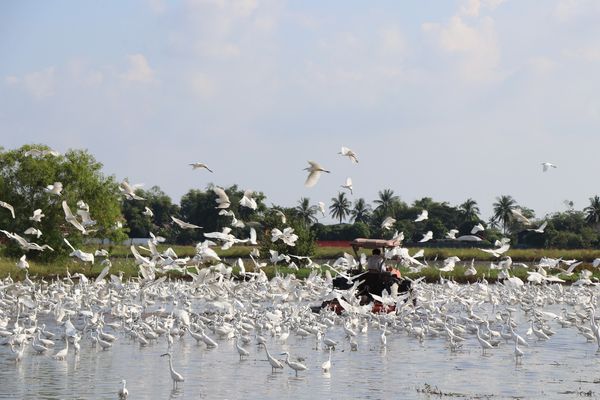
pixel 25 175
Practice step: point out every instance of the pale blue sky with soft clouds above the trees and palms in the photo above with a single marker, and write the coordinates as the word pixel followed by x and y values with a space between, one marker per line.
pixel 448 99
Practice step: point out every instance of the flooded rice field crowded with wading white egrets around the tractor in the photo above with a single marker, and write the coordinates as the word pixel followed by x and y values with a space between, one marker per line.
pixel 460 341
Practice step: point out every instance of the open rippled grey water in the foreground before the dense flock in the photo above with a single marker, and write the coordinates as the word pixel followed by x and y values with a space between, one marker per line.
pixel 566 366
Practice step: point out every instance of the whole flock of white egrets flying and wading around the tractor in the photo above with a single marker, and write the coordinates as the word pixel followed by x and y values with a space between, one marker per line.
pixel 254 316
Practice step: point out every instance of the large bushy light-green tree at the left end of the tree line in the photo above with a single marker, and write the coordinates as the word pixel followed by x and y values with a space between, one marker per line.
pixel 23 180
